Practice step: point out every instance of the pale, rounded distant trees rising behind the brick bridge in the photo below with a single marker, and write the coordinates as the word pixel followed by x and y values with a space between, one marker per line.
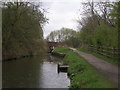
pixel 64 35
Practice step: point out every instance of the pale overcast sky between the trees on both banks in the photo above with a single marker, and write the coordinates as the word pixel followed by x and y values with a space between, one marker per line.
pixel 62 13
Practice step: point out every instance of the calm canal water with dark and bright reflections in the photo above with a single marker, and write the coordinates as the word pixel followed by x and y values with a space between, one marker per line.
pixel 34 72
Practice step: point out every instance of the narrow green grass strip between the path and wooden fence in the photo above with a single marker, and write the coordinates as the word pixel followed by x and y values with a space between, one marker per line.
pixel 112 61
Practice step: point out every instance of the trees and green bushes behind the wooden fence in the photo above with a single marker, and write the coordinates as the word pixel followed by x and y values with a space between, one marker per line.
pixel 99 24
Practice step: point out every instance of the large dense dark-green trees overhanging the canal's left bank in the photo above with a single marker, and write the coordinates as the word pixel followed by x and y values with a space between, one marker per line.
pixel 22 29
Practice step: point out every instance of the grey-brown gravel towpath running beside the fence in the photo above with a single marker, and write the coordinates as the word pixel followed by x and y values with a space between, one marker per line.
pixel 106 68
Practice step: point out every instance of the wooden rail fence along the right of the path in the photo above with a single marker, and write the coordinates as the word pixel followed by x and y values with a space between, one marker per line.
pixel 106 51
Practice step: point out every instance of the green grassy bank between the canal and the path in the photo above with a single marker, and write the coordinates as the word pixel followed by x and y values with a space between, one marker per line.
pixel 82 74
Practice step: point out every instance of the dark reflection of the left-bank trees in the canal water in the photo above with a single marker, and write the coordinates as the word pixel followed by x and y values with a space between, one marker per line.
pixel 24 73
